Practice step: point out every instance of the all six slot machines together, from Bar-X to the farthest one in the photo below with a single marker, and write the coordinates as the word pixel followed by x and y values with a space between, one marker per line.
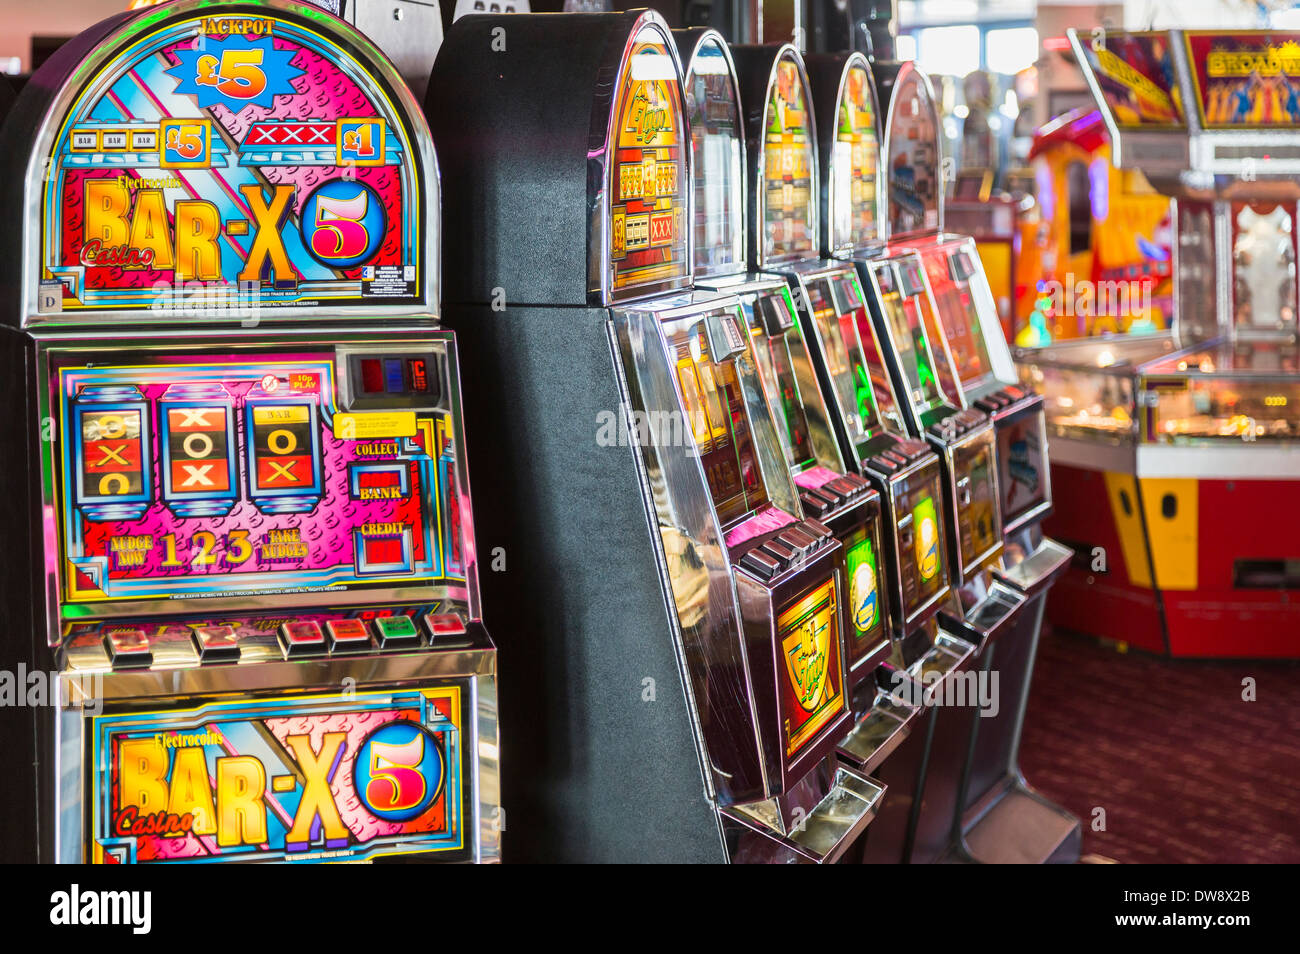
pixel 759 492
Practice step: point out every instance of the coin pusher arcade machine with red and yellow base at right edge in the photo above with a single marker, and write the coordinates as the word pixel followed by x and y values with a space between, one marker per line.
pixel 1194 431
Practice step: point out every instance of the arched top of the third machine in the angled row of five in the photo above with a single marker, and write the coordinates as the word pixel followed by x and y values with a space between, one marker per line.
pixel 782 136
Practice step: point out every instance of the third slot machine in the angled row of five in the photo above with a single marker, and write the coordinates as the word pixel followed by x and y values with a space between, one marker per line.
pixel 786 227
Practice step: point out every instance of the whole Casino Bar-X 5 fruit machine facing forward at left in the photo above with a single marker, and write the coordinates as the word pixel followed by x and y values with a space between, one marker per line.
pixel 244 539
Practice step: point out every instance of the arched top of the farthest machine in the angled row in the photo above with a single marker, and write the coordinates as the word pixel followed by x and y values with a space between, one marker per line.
pixel 912 153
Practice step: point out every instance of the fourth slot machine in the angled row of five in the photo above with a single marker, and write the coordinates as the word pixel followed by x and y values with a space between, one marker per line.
pixel 981 608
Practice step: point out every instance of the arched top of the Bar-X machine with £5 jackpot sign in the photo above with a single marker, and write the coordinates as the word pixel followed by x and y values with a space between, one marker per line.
pixel 200 162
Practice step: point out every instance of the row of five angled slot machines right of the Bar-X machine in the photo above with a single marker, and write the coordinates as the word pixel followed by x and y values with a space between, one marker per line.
pixel 769 482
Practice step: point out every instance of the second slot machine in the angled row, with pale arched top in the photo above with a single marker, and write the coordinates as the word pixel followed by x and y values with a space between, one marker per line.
pixel 827 491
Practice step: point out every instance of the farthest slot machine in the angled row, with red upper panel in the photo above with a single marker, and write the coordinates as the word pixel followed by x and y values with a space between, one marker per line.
pixel 1003 818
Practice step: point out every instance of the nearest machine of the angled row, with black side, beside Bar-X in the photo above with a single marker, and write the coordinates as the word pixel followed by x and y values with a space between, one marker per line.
pixel 683 660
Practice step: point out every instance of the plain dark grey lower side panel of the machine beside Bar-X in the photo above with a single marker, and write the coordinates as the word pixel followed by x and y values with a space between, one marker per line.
pixel 600 764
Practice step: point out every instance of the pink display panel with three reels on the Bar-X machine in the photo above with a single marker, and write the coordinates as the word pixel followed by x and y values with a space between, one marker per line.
pixel 219 476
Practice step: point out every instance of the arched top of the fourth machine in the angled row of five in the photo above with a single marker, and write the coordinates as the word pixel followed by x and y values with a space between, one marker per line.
pixel 850 153
